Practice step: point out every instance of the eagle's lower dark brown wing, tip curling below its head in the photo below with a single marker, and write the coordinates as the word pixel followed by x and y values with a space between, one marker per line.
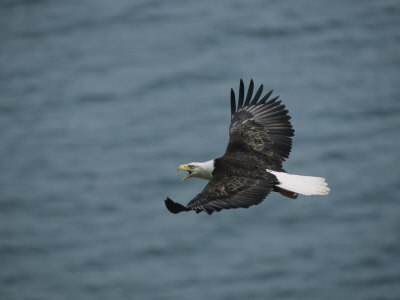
pixel 224 193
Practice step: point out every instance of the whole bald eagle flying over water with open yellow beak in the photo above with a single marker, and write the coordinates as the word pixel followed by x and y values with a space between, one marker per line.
pixel 260 141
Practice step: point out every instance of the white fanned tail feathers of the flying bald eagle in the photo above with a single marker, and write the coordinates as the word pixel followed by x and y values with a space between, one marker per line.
pixel 305 185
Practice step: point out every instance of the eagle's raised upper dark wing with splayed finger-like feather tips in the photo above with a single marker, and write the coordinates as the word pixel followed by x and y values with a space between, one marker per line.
pixel 261 126
